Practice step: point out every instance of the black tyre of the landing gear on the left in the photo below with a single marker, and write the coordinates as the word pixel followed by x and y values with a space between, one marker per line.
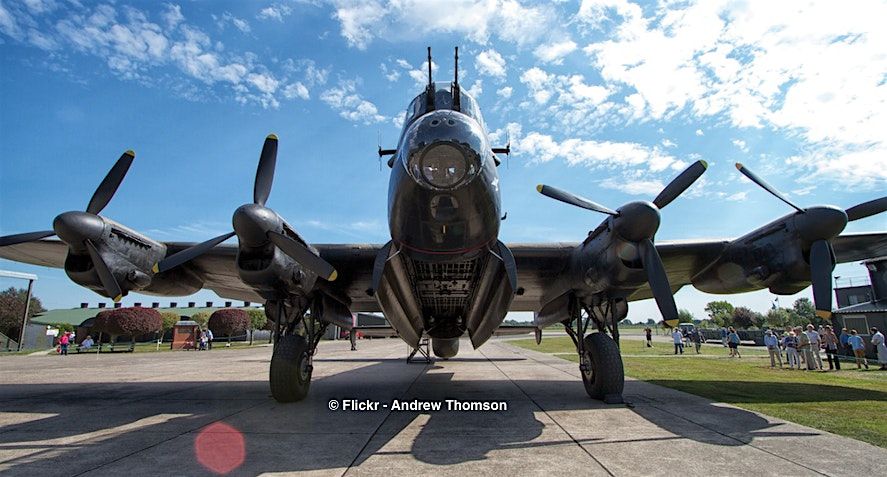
pixel 290 374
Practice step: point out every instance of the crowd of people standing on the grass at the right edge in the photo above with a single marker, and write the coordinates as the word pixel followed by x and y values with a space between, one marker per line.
pixel 805 347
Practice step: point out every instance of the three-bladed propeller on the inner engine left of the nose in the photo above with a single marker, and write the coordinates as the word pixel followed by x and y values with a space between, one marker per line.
pixel 256 225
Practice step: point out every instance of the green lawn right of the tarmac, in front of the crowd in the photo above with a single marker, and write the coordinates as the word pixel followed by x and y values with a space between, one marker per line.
pixel 850 403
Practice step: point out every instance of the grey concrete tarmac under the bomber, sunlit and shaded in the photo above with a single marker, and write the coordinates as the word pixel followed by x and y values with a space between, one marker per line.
pixel 206 413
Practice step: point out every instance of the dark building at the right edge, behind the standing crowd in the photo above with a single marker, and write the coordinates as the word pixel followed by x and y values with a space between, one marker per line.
pixel 862 316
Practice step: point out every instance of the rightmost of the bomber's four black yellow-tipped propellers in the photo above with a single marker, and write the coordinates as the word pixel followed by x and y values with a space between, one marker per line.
pixel 818 225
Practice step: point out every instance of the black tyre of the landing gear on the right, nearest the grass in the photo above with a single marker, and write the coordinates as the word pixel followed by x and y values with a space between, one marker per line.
pixel 601 366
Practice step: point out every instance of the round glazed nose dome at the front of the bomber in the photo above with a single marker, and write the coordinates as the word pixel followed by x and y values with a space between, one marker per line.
pixel 445 150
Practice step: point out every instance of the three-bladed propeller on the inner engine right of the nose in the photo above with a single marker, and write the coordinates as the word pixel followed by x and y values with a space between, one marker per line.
pixel 637 222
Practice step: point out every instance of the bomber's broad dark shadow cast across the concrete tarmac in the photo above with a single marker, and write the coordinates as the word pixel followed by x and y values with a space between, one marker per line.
pixel 153 424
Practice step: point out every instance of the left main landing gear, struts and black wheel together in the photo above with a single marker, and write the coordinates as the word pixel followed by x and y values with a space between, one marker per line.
pixel 296 335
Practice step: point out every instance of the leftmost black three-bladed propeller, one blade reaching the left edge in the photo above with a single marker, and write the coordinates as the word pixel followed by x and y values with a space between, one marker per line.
pixel 79 230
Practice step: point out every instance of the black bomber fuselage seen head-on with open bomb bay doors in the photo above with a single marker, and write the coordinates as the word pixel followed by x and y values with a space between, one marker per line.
pixel 444 216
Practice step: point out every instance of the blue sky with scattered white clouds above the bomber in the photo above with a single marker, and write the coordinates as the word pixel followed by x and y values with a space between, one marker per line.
pixel 609 99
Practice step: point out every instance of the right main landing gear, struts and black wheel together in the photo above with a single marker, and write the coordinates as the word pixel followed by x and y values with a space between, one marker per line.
pixel 599 360
